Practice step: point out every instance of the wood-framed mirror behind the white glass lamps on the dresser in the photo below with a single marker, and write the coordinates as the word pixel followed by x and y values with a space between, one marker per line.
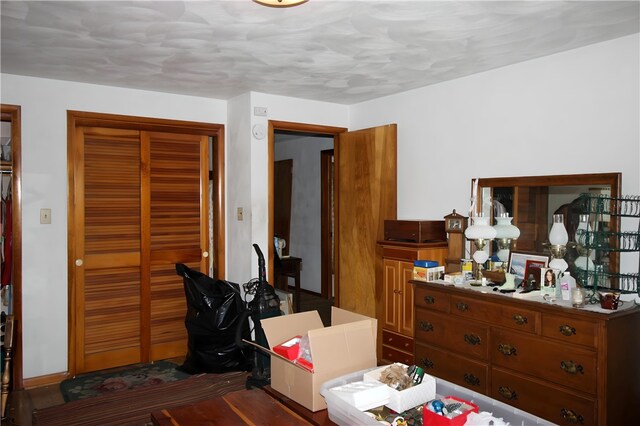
pixel 533 200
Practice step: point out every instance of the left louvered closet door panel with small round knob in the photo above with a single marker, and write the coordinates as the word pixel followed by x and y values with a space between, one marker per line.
pixel 108 227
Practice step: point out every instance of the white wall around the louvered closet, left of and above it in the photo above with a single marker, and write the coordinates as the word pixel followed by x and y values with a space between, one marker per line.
pixel 44 104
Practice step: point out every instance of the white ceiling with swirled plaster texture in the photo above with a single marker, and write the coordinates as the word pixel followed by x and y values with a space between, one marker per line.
pixel 336 51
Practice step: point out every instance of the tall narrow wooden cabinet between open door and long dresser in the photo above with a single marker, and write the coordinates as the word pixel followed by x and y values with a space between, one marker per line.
pixel 396 305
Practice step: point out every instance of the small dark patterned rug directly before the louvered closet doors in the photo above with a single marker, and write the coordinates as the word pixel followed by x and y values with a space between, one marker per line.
pixel 139 375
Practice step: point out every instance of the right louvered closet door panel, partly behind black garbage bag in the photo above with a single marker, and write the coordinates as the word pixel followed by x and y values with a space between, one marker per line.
pixel 177 184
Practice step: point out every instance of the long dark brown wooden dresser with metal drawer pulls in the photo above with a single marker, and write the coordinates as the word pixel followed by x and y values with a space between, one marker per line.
pixel 566 365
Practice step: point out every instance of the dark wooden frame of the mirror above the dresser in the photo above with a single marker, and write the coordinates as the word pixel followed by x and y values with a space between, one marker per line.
pixel 613 180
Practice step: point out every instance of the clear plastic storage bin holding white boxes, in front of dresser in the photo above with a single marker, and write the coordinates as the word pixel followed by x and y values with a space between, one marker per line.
pixel 342 413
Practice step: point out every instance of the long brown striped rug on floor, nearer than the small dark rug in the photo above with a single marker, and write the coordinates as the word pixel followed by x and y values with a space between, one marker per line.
pixel 134 407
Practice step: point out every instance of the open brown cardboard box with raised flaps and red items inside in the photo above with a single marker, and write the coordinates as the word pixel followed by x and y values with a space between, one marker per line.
pixel 348 345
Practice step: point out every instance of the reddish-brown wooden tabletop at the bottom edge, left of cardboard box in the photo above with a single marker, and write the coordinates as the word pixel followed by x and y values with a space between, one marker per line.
pixel 245 407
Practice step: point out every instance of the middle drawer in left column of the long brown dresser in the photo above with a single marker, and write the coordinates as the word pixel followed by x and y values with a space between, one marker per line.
pixel 466 338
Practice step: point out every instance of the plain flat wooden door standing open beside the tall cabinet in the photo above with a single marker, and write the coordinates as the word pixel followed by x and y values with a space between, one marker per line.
pixel 366 195
